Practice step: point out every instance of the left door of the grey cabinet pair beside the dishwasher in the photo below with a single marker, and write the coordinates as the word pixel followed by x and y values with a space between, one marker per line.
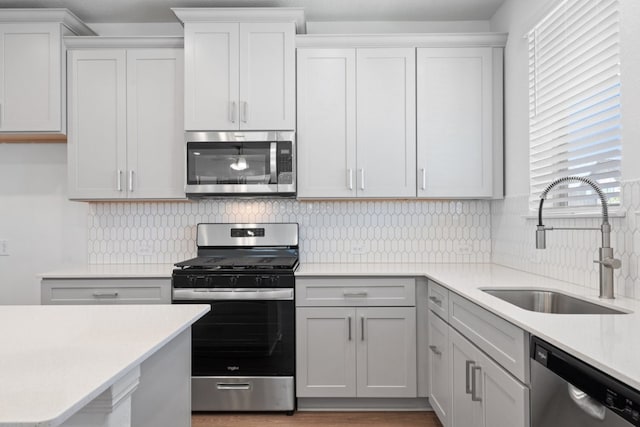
pixel 465 412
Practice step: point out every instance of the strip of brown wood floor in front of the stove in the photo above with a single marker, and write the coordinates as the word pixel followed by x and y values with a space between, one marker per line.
pixel 318 419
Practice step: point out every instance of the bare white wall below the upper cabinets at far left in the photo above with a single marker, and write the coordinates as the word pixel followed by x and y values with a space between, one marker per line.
pixel 43 229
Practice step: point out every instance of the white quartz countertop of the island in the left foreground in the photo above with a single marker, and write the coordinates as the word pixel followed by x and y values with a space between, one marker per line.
pixel 56 359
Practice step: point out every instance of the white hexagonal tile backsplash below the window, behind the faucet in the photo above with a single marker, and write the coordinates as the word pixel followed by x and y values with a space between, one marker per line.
pixel 569 254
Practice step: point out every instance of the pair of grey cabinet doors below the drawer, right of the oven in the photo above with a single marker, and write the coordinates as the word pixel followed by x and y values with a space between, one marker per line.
pixel 356 352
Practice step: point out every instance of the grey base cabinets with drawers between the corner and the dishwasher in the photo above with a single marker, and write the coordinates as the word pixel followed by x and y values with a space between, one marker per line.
pixel 467 387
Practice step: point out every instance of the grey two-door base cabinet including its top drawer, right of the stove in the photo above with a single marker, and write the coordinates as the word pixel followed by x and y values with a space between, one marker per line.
pixel 356 337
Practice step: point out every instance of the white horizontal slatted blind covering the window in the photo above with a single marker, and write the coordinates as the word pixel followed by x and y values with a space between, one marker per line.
pixel 574 103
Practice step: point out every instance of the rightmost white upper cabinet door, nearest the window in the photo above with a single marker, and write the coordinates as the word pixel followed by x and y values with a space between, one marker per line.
pixel 455 136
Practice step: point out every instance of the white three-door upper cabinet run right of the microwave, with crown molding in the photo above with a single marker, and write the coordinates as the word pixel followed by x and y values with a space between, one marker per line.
pixel 379 120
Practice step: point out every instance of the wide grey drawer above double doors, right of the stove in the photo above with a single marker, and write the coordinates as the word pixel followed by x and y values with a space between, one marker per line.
pixel 360 291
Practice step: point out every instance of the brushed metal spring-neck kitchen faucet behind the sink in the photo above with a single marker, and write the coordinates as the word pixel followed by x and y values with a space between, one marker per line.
pixel 606 260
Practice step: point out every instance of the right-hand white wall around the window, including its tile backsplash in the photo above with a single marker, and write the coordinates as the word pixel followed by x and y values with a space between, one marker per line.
pixel 569 254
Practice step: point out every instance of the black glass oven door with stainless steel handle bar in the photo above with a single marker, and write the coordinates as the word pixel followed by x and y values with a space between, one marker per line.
pixel 248 332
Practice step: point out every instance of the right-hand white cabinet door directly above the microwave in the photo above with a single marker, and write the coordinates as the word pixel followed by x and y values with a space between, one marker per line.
pixel 267 76
